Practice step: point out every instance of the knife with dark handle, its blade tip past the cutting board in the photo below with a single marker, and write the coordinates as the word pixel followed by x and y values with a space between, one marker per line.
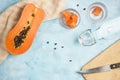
pixel 100 69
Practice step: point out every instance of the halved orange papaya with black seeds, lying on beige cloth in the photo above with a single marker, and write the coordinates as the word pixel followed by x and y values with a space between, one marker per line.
pixel 20 38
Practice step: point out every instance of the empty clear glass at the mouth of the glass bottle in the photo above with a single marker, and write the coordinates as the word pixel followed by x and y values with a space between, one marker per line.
pixel 86 38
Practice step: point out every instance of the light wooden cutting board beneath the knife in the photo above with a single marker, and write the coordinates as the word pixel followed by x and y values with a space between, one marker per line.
pixel 109 56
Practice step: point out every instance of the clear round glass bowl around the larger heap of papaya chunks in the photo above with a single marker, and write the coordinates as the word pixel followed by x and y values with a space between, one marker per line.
pixel 62 19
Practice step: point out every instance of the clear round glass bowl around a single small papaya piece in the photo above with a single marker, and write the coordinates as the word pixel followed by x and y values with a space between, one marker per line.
pixel 102 15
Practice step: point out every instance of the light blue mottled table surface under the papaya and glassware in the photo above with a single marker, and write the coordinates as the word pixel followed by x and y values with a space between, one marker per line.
pixel 42 62
